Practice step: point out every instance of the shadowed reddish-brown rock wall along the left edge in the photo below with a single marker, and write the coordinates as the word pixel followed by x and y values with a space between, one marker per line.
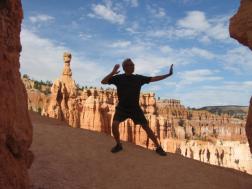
pixel 15 124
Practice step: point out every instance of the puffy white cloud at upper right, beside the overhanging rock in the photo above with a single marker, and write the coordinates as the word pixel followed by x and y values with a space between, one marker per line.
pixel 195 25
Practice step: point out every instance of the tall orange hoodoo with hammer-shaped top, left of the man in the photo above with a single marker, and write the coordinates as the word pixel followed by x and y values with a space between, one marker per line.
pixel 63 104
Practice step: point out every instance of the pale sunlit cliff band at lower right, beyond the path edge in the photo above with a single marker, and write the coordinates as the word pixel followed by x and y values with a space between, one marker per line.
pixel 232 154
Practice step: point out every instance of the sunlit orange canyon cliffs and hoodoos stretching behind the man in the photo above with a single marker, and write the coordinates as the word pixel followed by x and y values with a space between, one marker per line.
pixel 216 139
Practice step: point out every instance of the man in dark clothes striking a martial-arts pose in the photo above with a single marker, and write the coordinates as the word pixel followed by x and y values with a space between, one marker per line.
pixel 128 91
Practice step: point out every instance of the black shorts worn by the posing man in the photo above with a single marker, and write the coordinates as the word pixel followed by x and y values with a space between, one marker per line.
pixel 136 114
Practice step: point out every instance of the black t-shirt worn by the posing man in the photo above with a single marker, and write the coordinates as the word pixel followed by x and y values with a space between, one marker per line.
pixel 128 88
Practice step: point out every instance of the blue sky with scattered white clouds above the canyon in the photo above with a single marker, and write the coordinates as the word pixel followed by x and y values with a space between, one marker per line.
pixel 210 68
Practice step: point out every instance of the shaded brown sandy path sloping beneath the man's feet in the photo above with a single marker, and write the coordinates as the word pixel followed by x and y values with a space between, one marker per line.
pixel 67 158
